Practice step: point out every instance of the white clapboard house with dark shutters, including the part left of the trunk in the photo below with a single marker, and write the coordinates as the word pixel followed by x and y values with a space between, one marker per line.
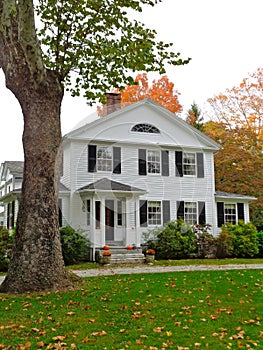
pixel 132 170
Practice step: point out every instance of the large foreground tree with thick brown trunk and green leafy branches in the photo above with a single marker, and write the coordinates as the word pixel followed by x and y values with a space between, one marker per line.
pixel 84 46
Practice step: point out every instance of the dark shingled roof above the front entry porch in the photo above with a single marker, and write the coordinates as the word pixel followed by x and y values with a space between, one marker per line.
pixel 107 185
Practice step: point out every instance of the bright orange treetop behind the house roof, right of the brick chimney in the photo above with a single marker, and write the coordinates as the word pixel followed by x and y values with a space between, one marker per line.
pixel 161 91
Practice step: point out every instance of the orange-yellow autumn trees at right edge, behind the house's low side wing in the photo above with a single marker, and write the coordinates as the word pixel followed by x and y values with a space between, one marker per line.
pixel 237 126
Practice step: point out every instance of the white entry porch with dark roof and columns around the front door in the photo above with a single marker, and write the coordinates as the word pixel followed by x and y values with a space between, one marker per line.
pixel 112 213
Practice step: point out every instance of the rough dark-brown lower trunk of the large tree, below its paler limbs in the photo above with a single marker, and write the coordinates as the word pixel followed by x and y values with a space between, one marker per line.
pixel 37 262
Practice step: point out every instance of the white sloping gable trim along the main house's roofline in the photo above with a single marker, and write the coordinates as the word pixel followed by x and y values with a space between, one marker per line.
pixel 177 121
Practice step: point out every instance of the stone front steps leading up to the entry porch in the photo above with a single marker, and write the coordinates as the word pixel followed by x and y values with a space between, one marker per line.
pixel 120 255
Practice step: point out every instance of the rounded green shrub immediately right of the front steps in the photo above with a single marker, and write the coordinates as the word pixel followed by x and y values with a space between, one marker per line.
pixel 175 241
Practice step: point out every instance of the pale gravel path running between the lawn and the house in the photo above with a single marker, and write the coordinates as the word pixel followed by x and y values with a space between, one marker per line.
pixel 109 271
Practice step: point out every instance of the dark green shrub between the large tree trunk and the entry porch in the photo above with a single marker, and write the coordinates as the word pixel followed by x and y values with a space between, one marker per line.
pixel 74 246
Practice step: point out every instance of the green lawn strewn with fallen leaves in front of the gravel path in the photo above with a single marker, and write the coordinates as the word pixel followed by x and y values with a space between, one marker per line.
pixel 185 310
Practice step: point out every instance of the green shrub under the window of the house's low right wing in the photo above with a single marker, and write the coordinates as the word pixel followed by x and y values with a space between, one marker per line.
pixel 240 240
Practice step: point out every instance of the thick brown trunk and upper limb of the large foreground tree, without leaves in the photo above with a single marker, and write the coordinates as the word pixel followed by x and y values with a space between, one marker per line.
pixel 36 263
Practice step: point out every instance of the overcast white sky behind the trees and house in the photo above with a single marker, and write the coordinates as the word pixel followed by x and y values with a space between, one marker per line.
pixel 223 38
